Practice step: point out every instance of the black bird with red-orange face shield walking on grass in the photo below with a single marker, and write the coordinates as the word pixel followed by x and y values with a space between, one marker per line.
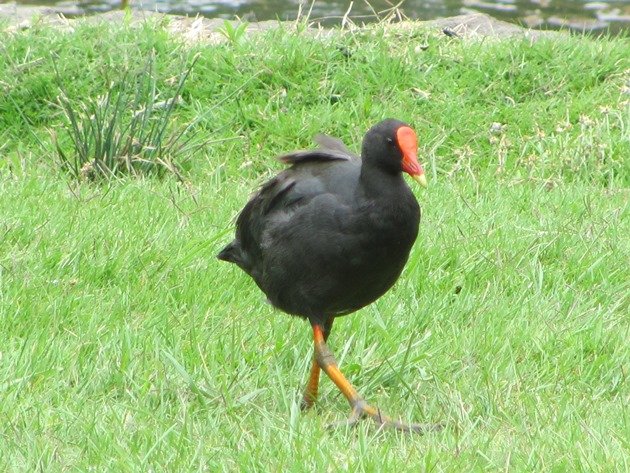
pixel 331 234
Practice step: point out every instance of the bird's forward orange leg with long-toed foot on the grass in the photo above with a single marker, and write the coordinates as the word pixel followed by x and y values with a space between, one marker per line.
pixel 326 361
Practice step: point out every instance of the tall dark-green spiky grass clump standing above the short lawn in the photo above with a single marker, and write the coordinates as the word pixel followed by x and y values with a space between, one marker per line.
pixel 125 131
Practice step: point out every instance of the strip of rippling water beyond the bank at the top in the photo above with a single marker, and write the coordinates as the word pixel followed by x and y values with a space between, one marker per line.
pixel 613 15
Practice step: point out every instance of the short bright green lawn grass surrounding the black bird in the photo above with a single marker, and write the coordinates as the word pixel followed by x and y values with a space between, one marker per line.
pixel 126 346
